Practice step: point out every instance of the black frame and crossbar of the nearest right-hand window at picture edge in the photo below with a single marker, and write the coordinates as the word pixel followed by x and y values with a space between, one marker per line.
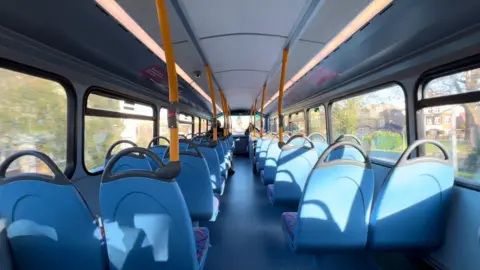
pixel 421 103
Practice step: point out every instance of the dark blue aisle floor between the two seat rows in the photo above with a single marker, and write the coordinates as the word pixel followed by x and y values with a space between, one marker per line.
pixel 248 232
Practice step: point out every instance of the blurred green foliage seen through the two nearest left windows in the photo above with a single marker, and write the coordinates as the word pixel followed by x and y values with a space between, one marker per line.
pixel 33 114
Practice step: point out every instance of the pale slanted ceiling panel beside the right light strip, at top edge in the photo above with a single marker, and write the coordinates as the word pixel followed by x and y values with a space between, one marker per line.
pixel 332 17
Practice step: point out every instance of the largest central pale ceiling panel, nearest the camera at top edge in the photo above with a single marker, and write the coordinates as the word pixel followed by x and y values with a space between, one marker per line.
pixel 219 17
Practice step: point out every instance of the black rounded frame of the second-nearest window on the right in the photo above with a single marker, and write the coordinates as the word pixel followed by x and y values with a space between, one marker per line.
pixel 379 87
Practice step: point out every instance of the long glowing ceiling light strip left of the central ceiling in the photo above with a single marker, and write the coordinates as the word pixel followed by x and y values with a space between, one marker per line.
pixel 117 12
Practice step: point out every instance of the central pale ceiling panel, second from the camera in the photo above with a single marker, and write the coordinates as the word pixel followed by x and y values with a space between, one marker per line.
pixel 242 52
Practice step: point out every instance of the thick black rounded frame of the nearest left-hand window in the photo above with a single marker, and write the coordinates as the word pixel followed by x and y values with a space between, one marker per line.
pixel 71 96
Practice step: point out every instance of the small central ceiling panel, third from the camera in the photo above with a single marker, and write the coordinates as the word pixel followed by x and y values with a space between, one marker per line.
pixel 242 79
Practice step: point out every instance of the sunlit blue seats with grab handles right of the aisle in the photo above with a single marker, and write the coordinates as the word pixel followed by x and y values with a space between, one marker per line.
pixel 339 206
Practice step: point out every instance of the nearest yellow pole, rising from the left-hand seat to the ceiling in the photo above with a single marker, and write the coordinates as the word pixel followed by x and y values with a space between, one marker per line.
pixel 172 79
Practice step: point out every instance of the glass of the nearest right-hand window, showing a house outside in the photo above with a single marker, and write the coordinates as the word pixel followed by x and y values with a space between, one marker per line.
pixel 455 126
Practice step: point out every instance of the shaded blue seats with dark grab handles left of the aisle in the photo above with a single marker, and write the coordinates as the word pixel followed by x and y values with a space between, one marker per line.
pixel 147 216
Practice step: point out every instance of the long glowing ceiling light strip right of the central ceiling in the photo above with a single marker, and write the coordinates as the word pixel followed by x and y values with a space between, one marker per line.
pixel 374 8
